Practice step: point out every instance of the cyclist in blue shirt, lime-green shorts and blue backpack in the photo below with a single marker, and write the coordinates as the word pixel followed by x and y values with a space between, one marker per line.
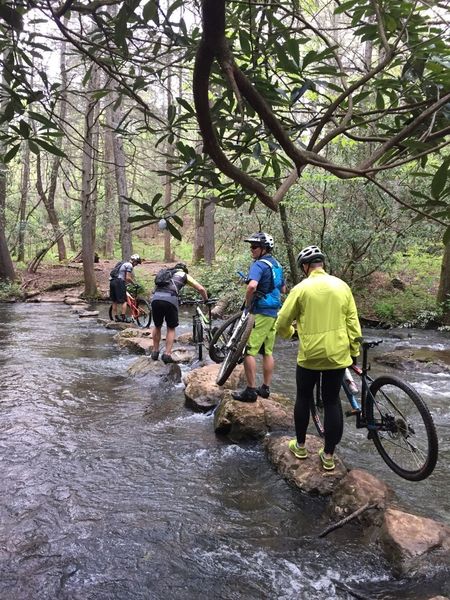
pixel 265 284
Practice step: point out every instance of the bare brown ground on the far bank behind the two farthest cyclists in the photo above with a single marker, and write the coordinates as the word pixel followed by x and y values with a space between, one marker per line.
pixel 55 282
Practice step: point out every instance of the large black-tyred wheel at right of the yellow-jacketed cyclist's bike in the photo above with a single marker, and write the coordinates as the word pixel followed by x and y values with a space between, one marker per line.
pixel 402 428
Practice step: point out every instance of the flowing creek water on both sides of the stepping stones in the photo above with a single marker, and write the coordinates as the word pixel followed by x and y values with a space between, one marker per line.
pixel 113 490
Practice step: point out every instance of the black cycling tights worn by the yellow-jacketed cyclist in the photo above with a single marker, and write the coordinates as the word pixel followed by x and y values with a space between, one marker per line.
pixel 333 419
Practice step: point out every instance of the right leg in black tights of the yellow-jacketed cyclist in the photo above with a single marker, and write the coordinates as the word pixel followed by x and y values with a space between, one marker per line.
pixel 333 423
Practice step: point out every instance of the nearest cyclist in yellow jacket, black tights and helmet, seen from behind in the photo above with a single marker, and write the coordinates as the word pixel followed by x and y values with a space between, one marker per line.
pixel 329 331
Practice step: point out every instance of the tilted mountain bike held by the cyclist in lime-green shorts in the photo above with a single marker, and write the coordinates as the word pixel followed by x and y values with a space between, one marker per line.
pixel 237 329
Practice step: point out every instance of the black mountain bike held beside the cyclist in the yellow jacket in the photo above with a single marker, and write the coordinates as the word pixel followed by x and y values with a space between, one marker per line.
pixel 397 419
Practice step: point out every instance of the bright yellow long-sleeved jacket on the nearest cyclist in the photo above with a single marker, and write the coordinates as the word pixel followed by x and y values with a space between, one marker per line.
pixel 327 322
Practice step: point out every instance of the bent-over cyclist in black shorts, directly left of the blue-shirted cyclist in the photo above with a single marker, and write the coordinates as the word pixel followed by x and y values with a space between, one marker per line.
pixel 165 301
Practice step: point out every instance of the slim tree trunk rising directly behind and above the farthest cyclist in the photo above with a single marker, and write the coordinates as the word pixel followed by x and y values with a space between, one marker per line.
pixel 110 207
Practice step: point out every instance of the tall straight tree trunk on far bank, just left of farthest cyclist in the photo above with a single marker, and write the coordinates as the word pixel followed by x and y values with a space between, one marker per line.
pixel 87 193
